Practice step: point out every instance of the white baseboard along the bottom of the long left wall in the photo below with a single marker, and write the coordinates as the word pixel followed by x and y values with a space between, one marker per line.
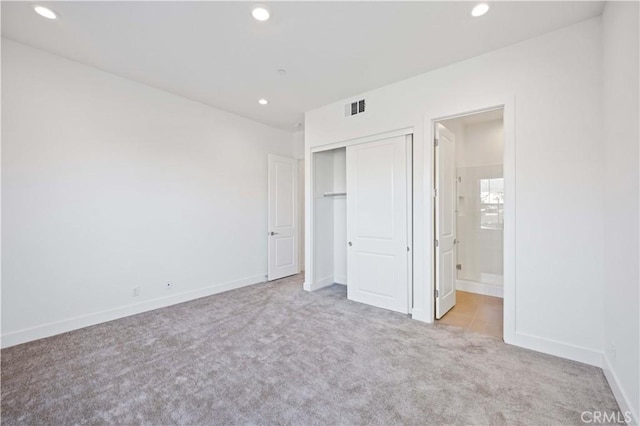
pixel 51 329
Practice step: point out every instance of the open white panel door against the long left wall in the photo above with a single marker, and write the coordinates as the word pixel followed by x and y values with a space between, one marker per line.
pixel 283 220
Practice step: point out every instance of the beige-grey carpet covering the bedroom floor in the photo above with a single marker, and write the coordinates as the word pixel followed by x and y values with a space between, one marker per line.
pixel 274 354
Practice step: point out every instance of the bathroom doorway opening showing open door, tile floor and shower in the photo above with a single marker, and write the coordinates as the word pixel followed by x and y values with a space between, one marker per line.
pixel 469 211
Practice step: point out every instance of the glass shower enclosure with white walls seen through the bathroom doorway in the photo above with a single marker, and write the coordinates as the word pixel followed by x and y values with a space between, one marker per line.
pixel 479 159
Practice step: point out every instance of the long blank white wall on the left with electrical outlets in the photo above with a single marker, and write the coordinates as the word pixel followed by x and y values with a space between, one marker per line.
pixel 109 185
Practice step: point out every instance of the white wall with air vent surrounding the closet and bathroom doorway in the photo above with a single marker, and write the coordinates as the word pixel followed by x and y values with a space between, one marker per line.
pixel 555 81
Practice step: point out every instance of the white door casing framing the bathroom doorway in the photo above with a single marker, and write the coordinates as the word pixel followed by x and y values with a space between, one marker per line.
pixel 424 304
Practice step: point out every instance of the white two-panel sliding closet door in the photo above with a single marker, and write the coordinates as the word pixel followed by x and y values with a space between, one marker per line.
pixel 377 252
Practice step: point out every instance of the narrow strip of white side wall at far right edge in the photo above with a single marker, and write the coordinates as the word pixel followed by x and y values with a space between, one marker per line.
pixel 621 200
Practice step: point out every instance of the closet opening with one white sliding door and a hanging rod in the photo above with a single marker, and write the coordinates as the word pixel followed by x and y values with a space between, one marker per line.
pixel 361 220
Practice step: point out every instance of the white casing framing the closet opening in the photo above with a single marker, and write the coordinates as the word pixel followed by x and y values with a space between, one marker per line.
pixel 310 279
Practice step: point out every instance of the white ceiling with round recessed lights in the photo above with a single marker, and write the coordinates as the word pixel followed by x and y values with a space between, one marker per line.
pixel 216 53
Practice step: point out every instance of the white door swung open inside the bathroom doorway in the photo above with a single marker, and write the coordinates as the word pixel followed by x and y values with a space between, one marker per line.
pixel 445 220
